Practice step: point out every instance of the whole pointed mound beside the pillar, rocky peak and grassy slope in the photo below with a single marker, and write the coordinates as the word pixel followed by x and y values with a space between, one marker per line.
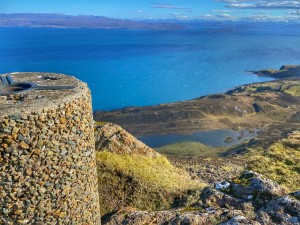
pixel 132 174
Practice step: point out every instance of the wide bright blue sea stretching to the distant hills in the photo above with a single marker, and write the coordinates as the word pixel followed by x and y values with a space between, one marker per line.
pixel 138 68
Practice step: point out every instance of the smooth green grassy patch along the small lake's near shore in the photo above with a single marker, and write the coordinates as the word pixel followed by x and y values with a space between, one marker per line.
pixel 190 149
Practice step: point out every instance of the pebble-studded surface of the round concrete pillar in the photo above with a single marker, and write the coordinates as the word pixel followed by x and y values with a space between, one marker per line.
pixel 47 156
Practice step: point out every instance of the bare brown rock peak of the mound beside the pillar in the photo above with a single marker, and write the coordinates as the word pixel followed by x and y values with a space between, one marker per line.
pixel 113 138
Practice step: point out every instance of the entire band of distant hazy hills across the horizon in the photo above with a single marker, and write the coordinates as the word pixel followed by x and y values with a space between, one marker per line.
pixel 100 22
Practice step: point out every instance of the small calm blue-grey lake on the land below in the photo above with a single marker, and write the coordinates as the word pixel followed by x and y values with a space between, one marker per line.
pixel 215 138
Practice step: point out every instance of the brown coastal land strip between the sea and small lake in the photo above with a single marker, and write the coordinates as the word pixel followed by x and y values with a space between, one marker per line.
pixel 271 106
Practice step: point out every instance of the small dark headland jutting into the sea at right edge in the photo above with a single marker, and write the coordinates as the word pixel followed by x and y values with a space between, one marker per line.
pixel 283 72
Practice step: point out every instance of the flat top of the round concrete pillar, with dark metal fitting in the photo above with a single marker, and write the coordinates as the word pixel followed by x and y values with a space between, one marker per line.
pixel 35 100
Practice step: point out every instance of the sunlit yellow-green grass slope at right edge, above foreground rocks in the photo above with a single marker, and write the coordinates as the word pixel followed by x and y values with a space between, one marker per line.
pixel 280 162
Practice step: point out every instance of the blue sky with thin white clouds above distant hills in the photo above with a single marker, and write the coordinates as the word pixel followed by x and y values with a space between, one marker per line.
pixel 263 10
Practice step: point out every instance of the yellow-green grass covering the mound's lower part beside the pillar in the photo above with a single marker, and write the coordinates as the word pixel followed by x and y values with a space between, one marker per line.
pixel 139 181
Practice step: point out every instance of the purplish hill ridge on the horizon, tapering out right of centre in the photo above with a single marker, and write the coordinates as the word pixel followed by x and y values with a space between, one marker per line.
pixel 67 21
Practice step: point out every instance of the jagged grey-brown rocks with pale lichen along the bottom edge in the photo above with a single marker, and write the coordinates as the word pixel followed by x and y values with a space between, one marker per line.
pixel 250 199
